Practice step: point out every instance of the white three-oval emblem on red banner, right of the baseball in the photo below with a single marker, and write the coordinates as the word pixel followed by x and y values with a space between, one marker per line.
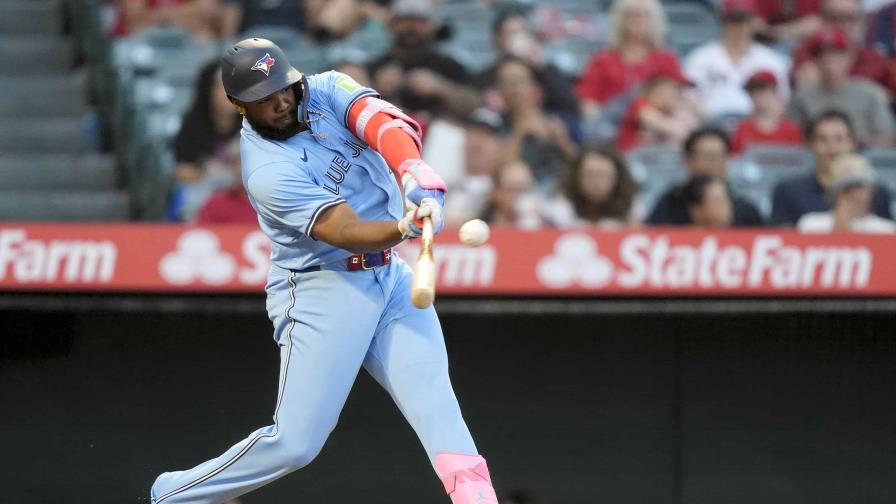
pixel 575 261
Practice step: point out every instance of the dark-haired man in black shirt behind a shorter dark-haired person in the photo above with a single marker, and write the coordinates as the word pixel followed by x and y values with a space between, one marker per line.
pixel 706 153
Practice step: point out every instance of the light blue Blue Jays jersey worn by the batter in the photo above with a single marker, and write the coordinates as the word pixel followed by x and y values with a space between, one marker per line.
pixel 291 183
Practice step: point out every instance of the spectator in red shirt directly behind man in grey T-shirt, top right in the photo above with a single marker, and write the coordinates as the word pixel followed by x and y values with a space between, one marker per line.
pixel 848 16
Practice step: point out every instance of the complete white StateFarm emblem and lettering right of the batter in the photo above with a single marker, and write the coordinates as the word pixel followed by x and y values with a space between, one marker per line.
pixel 645 261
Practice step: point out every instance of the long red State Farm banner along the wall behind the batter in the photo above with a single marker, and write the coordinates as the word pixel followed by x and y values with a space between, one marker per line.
pixel 236 259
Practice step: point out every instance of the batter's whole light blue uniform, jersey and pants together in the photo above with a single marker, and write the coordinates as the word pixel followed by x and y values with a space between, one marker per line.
pixel 323 346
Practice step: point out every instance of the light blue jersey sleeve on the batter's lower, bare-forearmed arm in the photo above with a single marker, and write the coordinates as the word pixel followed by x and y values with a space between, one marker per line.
pixel 290 197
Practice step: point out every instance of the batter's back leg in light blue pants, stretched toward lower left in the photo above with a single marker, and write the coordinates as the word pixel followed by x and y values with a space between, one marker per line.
pixel 322 347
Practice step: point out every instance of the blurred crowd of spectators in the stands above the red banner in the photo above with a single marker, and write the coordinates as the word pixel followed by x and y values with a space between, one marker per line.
pixel 524 144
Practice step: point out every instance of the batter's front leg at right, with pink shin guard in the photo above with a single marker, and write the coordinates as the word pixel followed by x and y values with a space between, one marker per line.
pixel 408 358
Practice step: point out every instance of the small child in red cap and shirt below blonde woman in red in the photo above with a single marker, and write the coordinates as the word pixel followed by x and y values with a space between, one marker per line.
pixel 662 115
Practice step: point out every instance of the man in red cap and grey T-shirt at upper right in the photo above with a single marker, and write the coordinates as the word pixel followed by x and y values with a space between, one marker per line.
pixel 863 101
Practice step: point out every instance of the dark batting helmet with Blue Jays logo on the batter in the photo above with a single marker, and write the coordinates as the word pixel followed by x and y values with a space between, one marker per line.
pixel 255 68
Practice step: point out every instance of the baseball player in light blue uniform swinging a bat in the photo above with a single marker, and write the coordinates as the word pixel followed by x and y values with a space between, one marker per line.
pixel 321 156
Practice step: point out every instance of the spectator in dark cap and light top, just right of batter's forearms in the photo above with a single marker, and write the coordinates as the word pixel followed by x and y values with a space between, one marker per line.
pixel 482 151
